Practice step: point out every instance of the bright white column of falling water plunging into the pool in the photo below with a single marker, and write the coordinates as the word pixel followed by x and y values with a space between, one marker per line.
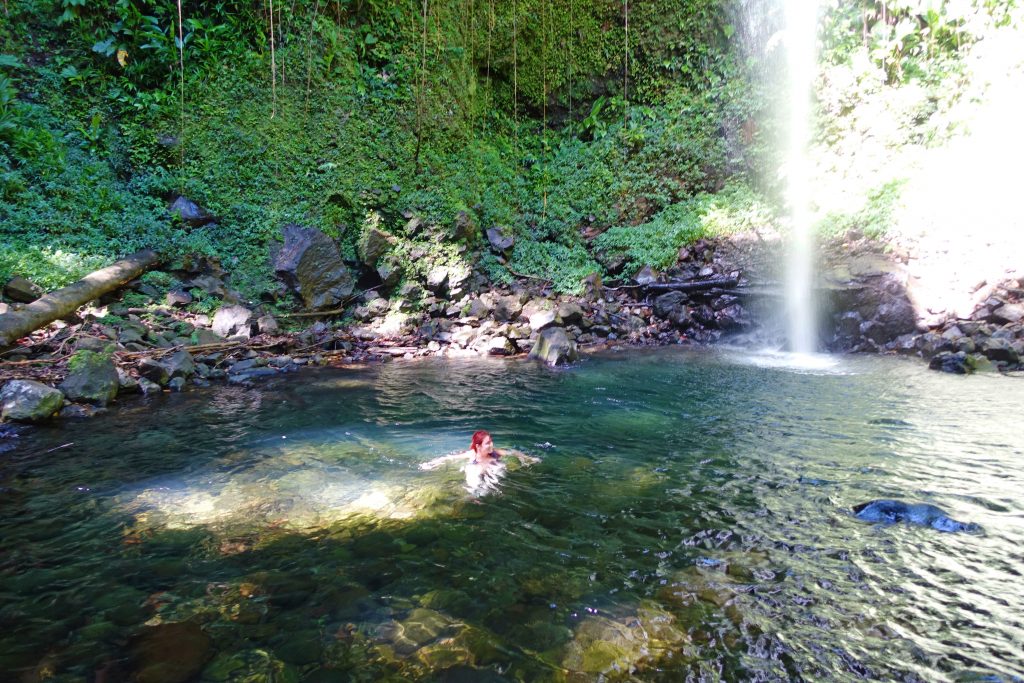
pixel 801 20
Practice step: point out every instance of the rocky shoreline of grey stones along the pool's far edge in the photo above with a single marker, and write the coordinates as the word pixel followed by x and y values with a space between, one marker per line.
pixel 716 291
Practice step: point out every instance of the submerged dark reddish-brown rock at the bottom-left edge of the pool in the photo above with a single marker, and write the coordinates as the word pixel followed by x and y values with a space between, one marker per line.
pixel 170 653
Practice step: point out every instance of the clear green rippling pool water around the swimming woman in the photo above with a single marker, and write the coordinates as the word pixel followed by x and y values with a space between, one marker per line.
pixel 691 520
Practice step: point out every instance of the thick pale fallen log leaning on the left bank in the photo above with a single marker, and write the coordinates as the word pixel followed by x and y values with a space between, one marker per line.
pixel 65 302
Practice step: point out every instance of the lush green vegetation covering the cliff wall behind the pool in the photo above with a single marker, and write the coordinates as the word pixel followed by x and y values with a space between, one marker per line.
pixel 545 117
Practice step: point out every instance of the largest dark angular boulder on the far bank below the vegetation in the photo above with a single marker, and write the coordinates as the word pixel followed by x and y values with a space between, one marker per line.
pixel 311 265
